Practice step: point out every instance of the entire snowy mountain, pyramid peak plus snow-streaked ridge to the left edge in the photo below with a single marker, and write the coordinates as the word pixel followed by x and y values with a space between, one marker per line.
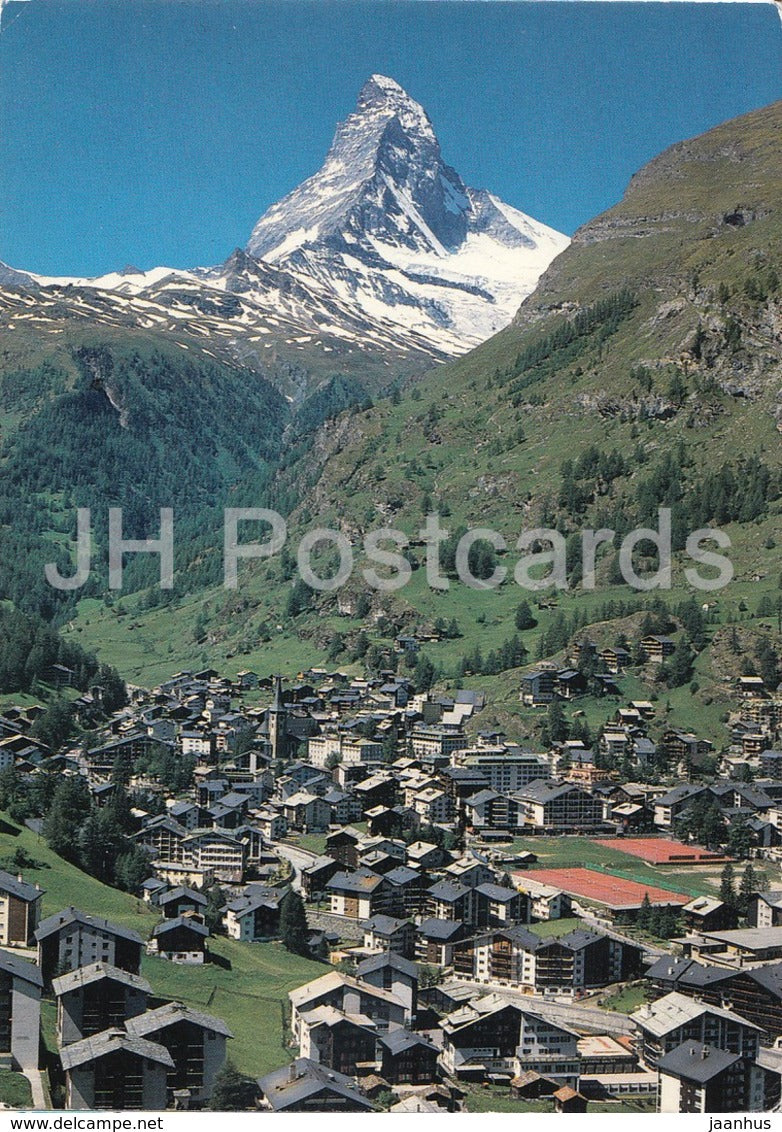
pixel 383 263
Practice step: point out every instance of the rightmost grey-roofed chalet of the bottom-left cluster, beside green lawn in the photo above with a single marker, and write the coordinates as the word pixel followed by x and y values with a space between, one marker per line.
pixel 195 1042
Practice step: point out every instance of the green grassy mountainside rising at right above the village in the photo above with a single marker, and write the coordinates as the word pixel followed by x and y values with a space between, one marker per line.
pixel 643 372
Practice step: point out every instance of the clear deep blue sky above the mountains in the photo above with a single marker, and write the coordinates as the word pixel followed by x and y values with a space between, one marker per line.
pixel 157 132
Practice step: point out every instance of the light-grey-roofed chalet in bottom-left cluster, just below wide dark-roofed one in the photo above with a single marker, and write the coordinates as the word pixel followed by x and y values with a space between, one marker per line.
pixel 97 998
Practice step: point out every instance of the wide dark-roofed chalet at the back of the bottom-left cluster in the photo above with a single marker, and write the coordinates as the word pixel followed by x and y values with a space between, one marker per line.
pixel 73 939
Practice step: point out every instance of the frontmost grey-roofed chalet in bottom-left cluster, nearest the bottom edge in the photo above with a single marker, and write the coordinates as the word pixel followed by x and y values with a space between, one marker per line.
pixel 116 1071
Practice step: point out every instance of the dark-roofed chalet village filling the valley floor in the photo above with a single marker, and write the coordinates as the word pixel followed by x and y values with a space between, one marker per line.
pixel 499 928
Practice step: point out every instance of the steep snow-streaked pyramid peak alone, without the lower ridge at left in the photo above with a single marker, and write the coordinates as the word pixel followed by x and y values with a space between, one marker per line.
pixel 392 229
